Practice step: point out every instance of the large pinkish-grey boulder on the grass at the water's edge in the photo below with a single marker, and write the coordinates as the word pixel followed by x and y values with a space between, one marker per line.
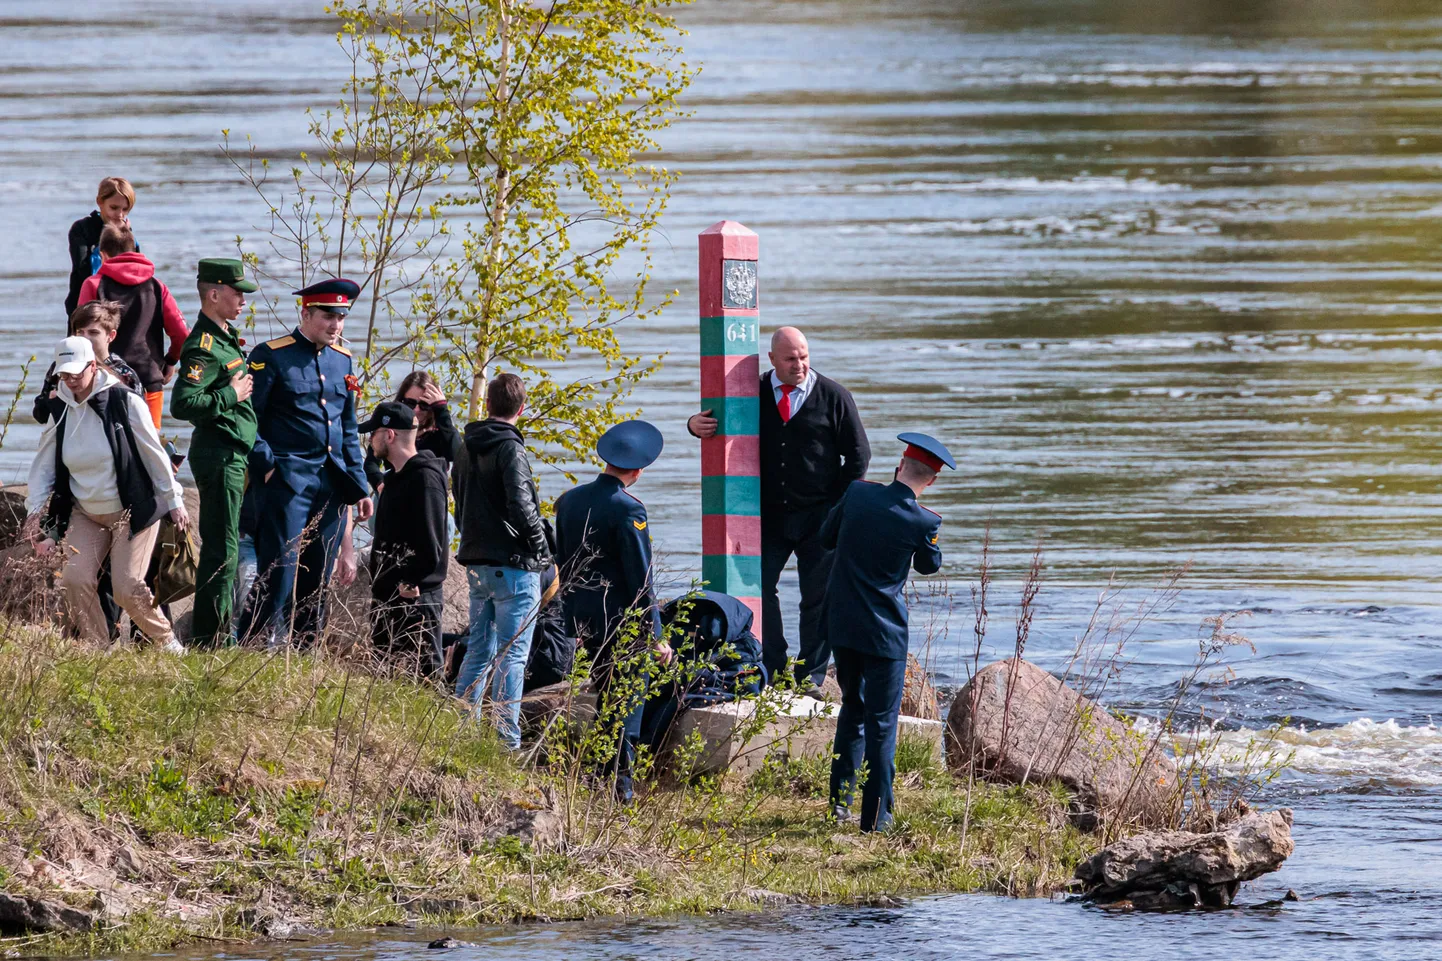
pixel 1017 724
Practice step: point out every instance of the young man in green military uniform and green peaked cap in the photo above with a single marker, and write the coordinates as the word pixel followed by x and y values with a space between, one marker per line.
pixel 214 393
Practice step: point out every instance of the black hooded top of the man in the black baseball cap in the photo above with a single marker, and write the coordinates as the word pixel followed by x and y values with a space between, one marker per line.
pixel 412 536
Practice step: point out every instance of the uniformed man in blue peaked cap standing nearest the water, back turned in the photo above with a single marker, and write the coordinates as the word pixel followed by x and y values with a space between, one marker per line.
pixel 880 533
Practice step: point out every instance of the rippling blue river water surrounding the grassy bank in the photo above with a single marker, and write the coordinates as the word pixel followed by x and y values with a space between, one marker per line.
pixel 1163 275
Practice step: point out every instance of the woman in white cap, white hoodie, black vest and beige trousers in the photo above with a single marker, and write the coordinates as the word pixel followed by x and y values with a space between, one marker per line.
pixel 102 481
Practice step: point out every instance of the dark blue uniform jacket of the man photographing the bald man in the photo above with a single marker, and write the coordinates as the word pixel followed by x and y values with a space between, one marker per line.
pixel 880 533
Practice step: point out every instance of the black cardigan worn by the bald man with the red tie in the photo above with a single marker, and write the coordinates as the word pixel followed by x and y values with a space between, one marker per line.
pixel 810 461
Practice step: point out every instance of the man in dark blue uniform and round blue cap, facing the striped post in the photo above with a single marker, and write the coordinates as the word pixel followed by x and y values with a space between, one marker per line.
pixel 603 552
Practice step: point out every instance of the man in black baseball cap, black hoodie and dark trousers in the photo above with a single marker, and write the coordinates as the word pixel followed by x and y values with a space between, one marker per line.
pixel 409 552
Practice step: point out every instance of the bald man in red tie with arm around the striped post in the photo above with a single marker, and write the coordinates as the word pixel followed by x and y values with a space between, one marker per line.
pixel 813 448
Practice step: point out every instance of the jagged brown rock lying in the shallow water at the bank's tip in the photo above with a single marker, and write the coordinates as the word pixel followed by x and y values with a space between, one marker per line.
pixel 1167 871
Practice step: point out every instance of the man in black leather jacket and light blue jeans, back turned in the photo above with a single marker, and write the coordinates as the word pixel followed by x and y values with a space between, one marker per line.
pixel 503 545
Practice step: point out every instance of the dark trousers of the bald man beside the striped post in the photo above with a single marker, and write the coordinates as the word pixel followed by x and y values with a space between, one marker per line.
pixel 782 536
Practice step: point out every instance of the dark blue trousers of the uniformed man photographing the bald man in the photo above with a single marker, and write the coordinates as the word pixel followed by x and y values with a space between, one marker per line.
pixel 867 731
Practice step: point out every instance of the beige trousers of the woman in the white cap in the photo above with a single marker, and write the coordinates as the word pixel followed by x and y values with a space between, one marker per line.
pixel 87 543
